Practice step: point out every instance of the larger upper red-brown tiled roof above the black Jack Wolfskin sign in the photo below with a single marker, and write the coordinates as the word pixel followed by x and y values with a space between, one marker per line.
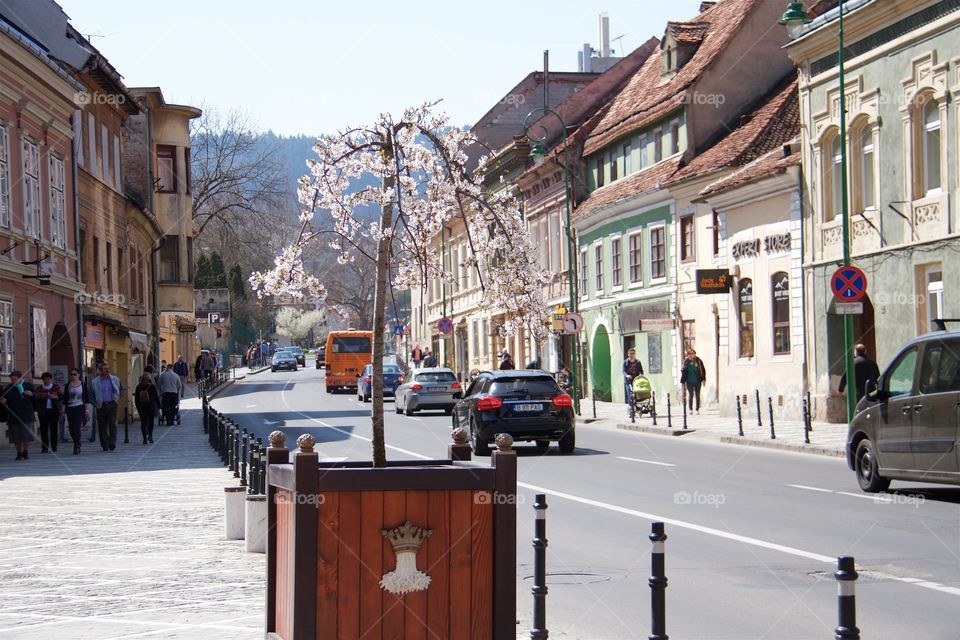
pixel 774 123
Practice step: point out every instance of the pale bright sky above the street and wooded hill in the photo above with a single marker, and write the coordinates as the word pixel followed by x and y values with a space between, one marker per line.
pixel 319 66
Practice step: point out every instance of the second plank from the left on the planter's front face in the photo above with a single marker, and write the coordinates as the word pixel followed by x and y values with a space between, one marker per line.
pixel 348 567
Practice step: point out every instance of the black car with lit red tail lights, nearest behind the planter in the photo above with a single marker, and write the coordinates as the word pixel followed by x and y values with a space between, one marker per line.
pixel 529 405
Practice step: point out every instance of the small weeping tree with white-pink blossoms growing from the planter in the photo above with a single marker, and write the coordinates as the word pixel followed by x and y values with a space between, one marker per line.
pixel 421 167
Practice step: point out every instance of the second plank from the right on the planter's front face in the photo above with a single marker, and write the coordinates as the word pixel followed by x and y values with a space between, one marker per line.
pixel 461 513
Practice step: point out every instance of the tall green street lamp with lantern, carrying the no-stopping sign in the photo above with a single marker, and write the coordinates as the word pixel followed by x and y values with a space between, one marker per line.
pixel 794 19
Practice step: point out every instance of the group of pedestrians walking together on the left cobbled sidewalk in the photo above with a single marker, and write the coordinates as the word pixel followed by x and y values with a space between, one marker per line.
pixel 23 405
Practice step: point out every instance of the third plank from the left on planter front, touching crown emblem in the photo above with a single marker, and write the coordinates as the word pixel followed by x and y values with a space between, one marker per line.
pixel 371 565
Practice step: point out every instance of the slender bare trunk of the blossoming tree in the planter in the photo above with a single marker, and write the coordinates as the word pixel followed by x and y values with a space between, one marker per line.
pixel 379 319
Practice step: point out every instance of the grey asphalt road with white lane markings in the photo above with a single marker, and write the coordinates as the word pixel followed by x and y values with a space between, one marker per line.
pixel 753 534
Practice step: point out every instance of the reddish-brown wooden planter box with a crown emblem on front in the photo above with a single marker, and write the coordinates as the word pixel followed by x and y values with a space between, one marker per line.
pixel 327 553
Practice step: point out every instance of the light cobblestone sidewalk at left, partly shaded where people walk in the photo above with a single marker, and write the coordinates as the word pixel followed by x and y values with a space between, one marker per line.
pixel 126 544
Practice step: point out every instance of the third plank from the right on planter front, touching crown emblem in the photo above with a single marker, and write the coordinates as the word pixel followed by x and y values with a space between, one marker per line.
pixel 438 564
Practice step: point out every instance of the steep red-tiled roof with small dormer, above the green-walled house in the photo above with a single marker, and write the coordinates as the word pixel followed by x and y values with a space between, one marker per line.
pixel 649 95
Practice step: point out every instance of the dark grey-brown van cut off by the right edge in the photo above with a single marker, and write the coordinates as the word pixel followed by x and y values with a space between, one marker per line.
pixel 906 426
